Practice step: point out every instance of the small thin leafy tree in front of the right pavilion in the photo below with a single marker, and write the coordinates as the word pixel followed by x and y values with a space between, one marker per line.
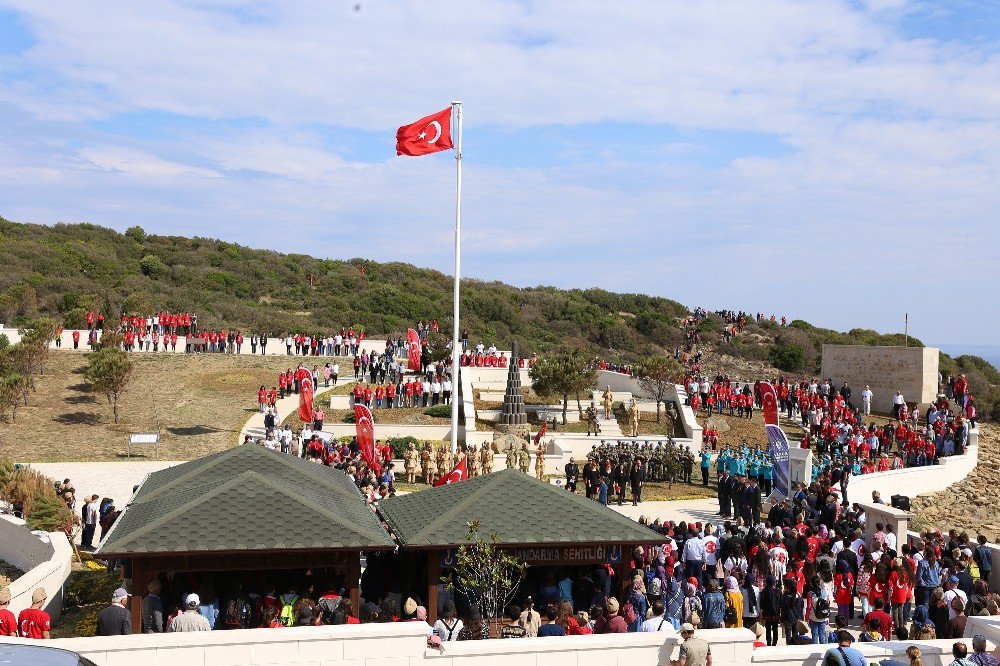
pixel 486 575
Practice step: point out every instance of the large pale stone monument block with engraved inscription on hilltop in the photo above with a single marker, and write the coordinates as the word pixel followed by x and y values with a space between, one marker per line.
pixel 912 370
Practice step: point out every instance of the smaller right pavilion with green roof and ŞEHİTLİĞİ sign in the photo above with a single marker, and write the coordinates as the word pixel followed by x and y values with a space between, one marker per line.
pixel 537 522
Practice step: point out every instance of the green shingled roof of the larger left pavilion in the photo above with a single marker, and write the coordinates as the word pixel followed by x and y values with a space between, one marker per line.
pixel 245 498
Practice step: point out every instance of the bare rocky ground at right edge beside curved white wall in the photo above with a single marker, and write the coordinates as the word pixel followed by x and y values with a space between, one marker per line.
pixel 970 504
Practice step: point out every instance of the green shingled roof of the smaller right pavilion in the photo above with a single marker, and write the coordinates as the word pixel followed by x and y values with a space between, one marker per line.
pixel 518 508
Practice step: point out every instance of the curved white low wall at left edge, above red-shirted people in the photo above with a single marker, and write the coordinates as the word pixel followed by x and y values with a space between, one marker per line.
pixel 45 559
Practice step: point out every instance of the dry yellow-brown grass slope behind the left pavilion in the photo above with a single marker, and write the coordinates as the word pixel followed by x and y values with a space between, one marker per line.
pixel 198 403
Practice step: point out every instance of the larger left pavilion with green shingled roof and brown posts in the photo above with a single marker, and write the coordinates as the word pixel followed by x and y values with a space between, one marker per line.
pixel 246 508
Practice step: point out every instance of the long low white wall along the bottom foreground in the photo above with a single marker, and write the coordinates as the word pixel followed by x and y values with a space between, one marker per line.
pixel 394 644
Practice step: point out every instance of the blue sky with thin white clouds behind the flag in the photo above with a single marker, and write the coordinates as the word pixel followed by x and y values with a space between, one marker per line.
pixel 833 161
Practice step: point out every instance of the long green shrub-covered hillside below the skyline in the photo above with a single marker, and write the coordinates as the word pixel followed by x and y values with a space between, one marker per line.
pixel 67 269
